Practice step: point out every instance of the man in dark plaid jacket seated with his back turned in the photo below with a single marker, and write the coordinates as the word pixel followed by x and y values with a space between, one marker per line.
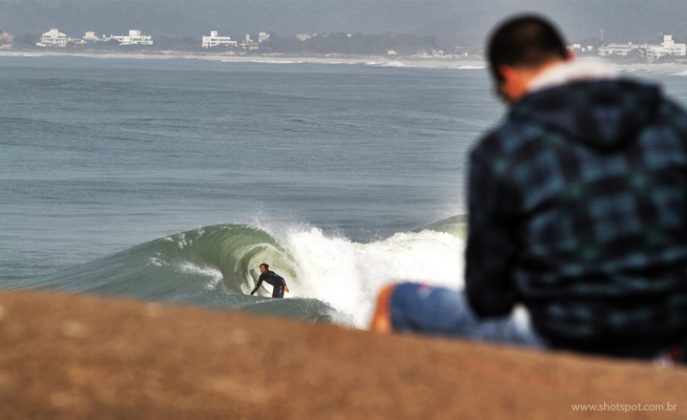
pixel 577 212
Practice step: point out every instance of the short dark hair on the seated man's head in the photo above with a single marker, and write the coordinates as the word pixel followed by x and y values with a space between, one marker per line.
pixel 527 41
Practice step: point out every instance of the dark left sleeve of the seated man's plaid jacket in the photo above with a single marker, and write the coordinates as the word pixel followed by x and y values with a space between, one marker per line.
pixel 491 246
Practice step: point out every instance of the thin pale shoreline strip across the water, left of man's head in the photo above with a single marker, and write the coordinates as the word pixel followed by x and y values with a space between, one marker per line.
pixel 449 62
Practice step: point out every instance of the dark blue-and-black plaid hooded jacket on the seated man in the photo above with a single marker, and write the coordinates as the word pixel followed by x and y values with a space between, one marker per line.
pixel 578 210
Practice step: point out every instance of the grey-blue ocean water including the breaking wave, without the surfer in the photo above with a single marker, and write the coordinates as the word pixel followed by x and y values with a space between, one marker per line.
pixel 171 180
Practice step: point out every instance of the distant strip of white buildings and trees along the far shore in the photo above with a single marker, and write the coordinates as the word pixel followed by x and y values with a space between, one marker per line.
pixel 668 50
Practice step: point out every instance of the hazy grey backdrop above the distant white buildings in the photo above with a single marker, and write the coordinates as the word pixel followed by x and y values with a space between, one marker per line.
pixel 466 21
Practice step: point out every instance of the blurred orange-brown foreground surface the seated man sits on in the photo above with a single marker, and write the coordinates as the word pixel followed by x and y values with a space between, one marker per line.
pixel 85 357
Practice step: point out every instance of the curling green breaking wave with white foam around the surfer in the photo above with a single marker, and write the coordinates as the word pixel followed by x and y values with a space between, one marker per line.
pixel 332 278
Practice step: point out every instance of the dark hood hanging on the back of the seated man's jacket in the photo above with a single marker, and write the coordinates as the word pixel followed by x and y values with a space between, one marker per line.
pixel 603 114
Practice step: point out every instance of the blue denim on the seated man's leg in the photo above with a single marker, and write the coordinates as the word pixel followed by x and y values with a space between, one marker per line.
pixel 445 312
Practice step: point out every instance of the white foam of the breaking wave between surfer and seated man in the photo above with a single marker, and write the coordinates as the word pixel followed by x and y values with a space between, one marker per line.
pixel 348 275
